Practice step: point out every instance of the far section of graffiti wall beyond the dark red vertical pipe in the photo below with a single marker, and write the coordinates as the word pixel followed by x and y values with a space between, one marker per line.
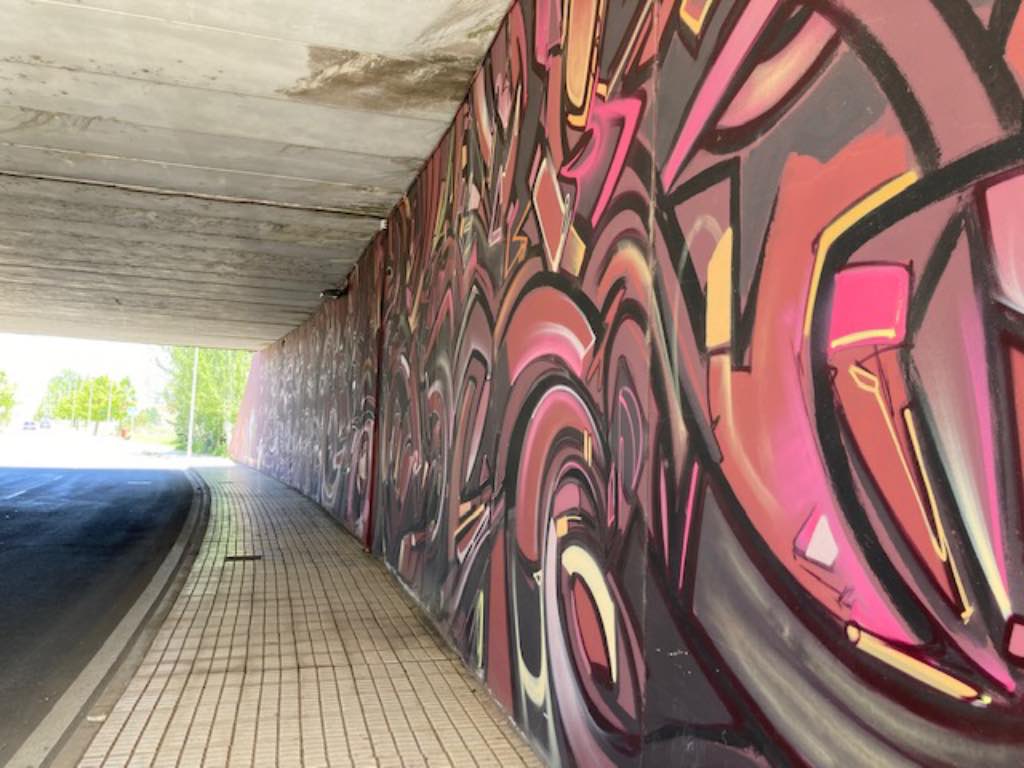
pixel 310 410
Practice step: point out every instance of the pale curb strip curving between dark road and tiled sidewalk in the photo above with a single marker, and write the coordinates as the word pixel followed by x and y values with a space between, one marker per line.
pixel 63 737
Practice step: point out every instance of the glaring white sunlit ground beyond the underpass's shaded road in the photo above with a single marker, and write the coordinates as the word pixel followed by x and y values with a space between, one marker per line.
pixel 63 447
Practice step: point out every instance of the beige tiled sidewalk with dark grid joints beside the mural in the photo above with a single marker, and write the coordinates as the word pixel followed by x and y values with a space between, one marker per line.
pixel 310 656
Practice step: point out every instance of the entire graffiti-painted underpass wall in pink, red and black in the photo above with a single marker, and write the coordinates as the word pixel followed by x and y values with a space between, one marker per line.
pixel 699 432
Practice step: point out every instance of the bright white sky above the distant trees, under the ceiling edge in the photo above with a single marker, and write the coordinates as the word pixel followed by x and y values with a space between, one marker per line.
pixel 32 361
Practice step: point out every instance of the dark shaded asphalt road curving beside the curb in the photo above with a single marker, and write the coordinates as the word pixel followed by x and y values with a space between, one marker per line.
pixel 77 547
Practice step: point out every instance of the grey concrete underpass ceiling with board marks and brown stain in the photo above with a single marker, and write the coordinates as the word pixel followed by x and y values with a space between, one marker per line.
pixel 196 172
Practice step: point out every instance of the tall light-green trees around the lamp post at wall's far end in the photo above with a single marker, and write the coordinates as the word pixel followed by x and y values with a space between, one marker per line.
pixel 220 387
